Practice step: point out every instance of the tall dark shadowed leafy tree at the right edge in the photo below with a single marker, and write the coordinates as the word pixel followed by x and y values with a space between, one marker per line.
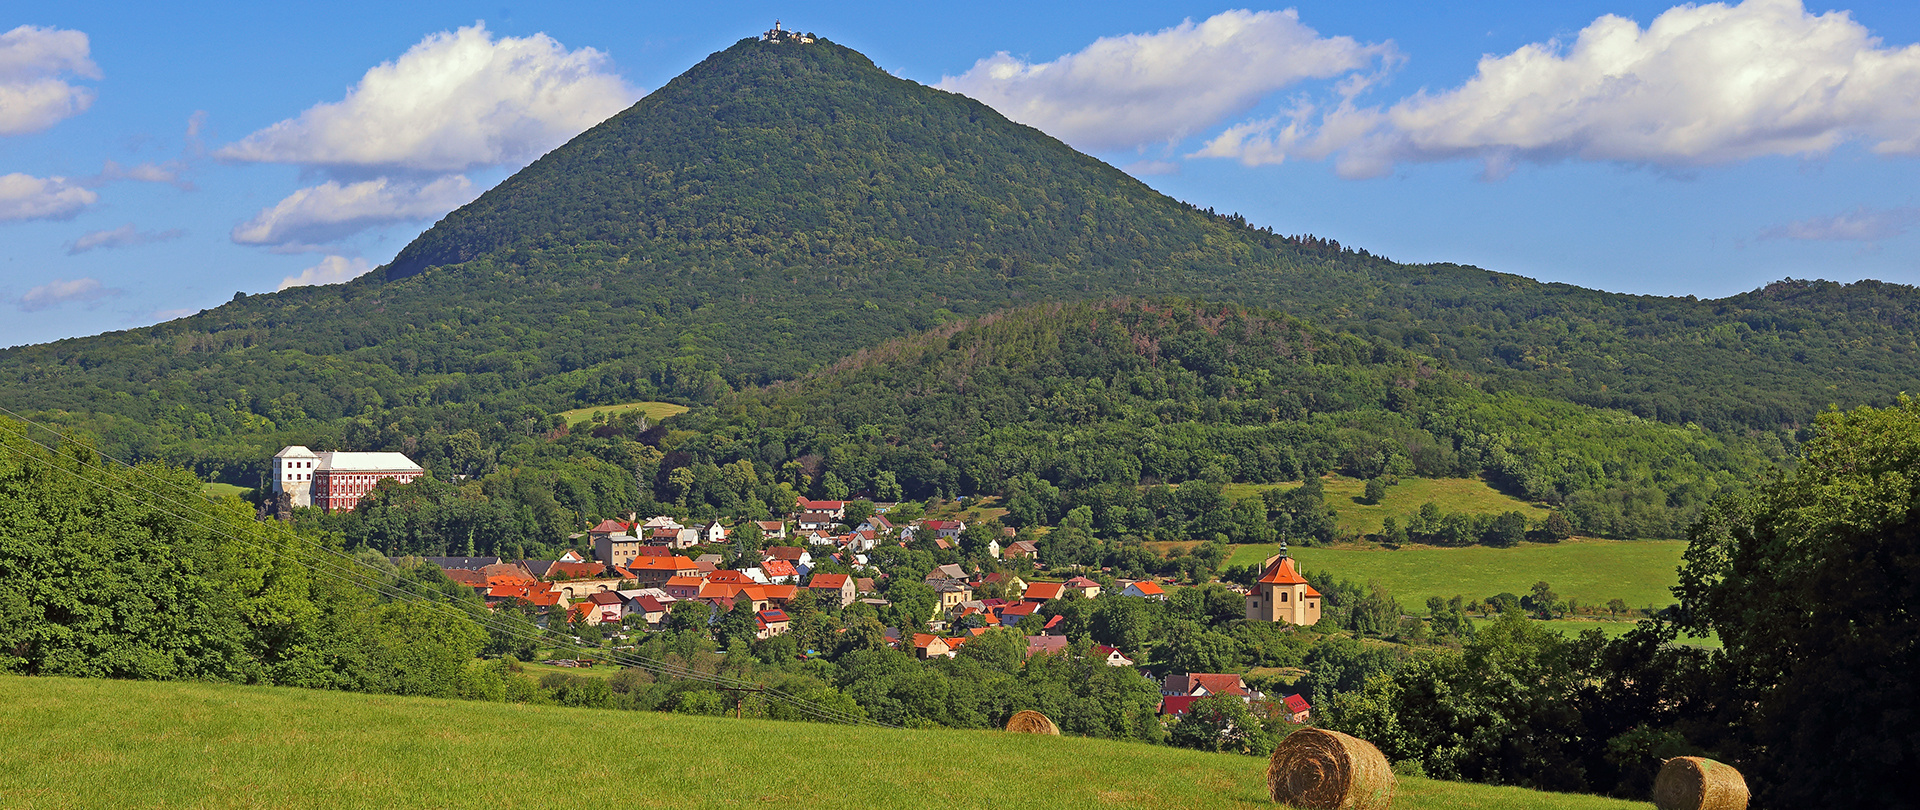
pixel 1812 584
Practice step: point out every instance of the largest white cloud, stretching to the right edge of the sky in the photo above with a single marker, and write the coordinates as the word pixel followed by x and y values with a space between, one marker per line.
pixel 1700 85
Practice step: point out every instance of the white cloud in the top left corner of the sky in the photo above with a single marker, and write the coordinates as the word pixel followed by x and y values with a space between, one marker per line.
pixel 34 78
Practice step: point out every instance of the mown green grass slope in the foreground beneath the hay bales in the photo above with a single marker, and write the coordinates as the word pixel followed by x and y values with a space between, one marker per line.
pixel 80 744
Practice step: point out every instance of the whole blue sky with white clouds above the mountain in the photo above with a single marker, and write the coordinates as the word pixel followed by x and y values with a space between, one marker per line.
pixel 156 160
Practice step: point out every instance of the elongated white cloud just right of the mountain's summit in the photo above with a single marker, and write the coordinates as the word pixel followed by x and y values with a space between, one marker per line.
pixel 1153 89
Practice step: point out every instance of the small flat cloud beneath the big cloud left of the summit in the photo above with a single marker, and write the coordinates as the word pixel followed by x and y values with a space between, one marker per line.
pixel 333 212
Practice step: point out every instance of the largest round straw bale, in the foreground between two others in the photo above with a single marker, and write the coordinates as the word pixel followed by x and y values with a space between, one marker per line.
pixel 1328 771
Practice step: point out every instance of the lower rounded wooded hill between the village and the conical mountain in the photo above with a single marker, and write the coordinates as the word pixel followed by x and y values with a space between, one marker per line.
pixel 1101 406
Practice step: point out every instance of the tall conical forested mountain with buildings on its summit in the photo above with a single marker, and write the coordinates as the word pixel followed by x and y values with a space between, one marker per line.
pixel 784 204
